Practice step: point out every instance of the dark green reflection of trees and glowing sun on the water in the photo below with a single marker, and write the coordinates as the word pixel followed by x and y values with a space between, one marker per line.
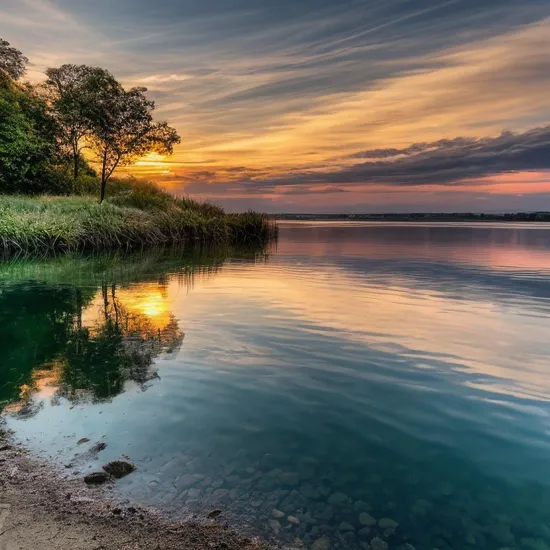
pixel 85 343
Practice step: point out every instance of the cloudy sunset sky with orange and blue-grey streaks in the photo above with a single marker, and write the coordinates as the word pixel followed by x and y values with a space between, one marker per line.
pixel 324 105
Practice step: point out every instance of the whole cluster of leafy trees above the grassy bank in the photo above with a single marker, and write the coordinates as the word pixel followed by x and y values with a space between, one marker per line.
pixel 46 128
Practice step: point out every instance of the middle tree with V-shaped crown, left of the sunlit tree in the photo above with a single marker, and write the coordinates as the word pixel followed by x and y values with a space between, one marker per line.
pixel 76 94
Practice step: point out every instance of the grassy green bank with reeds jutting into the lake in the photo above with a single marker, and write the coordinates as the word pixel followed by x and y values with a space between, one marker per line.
pixel 135 215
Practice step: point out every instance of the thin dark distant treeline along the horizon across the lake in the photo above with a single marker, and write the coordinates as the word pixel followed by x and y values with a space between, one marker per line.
pixel 424 217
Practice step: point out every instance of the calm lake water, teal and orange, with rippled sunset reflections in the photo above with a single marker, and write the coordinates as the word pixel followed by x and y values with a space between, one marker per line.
pixel 357 371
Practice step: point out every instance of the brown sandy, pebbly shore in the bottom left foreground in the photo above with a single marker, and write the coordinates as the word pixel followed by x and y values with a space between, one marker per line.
pixel 41 511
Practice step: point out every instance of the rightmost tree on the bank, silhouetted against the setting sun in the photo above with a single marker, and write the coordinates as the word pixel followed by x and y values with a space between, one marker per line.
pixel 124 130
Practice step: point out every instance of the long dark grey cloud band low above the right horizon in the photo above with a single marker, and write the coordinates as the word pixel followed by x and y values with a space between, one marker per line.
pixel 441 162
